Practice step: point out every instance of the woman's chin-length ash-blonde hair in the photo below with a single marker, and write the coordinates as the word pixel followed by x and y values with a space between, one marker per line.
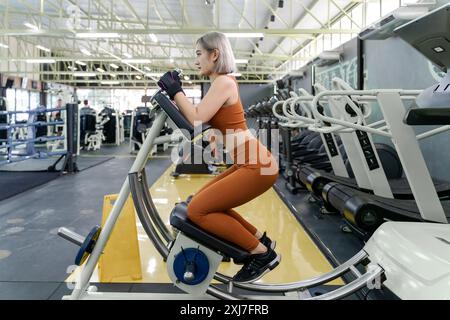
pixel 225 63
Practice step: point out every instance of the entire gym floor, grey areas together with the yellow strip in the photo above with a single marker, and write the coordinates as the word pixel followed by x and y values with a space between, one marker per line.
pixel 35 262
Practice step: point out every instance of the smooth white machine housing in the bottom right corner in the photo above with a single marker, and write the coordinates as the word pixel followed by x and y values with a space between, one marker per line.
pixel 415 257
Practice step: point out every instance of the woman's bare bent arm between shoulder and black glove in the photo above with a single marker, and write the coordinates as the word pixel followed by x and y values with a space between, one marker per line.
pixel 221 90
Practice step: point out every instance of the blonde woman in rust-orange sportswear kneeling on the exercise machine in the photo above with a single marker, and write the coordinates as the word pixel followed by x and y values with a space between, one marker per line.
pixel 254 171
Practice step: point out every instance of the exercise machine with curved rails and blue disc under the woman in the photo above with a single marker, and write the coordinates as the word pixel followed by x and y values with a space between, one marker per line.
pixel 193 276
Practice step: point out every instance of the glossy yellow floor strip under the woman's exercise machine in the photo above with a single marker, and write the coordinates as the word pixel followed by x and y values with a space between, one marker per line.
pixel 301 258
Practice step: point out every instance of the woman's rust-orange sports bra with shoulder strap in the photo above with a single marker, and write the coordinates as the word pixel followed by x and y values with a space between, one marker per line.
pixel 230 116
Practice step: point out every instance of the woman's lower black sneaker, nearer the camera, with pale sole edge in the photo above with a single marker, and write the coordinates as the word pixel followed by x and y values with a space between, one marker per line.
pixel 257 266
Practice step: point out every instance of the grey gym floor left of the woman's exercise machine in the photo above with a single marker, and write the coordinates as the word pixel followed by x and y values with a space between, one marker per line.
pixel 33 258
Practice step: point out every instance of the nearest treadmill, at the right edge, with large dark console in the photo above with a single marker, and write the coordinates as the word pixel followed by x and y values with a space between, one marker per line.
pixel 364 212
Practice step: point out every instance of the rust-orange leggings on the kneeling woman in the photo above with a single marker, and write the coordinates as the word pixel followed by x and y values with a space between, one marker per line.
pixel 212 206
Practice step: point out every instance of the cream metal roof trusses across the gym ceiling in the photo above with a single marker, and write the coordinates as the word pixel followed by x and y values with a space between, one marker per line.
pixel 133 26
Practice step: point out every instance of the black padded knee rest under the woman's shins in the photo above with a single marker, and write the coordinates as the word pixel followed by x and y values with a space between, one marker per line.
pixel 179 220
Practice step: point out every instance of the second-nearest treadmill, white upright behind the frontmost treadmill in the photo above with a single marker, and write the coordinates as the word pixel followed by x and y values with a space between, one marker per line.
pixel 388 176
